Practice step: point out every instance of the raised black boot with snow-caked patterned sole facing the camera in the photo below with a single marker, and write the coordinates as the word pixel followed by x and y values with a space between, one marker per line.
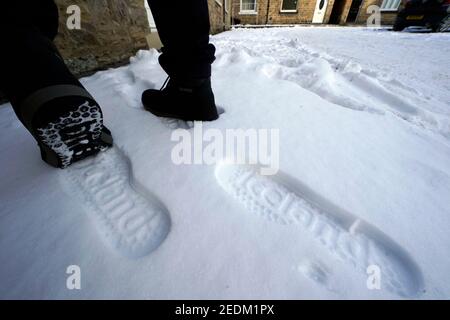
pixel 68 128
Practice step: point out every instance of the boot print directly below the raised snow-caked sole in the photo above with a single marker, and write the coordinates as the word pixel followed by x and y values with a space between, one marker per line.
pixel 128 220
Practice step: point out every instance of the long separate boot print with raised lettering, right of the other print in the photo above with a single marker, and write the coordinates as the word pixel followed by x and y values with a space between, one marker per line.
pixel 359 244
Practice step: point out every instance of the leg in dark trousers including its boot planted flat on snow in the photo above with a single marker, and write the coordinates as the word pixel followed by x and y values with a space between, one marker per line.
pixel 187 55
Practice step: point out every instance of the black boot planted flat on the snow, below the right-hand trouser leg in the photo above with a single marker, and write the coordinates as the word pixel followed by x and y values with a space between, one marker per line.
pixel 185 100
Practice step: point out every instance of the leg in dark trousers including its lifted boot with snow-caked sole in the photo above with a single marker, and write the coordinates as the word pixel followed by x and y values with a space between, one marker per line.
pixel 45 95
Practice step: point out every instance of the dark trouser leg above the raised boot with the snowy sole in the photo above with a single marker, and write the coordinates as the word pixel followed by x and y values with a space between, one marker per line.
pixel 29 61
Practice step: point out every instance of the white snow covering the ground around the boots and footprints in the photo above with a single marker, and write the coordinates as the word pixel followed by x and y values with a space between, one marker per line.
pixel 364 182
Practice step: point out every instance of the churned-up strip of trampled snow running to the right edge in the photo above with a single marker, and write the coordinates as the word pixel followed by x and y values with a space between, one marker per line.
pixel 387 95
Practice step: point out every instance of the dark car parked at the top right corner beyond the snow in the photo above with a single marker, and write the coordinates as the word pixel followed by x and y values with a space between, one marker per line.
pixel 432 14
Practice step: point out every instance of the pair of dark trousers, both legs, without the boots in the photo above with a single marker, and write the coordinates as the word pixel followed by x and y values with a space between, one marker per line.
pixel 29 61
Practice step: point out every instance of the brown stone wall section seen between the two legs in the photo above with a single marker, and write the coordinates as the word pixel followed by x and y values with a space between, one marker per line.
pixel 111 32
